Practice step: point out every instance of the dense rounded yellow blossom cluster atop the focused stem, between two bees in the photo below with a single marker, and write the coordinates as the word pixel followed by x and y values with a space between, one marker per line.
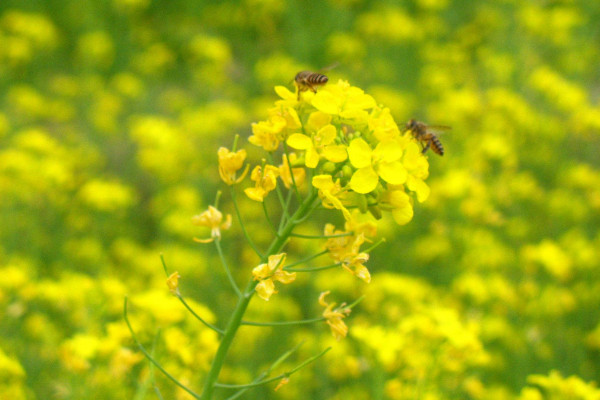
pixel 358 156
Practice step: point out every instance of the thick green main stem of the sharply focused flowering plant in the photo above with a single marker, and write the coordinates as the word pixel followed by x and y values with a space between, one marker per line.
pixel 244 300
